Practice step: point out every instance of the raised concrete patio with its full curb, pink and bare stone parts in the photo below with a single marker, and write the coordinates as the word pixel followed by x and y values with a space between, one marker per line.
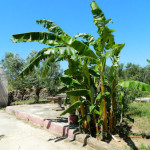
pixel 47 116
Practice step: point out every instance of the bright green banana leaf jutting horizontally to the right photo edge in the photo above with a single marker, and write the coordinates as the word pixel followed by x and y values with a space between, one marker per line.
pixel 135 84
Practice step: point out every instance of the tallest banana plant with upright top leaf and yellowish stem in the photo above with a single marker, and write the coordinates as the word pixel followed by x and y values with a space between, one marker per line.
pixel 104 47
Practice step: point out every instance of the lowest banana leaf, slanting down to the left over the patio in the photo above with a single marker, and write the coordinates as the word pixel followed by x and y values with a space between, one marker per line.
pixel 71 108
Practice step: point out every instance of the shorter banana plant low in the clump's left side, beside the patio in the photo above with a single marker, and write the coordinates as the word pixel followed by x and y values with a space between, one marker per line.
pixel 90 104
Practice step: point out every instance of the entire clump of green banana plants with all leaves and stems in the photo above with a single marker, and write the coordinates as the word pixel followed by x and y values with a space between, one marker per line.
pixel 89 83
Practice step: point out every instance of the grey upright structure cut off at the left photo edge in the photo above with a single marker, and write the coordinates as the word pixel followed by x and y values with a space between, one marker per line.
pixel 3 88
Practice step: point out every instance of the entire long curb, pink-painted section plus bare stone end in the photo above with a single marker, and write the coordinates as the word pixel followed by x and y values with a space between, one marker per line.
pixel 61 130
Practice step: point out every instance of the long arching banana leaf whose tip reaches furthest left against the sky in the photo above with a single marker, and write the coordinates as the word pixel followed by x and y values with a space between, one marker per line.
pixel 53 40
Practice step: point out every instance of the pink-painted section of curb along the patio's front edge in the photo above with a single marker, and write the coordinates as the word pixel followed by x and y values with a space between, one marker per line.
pixel 47 124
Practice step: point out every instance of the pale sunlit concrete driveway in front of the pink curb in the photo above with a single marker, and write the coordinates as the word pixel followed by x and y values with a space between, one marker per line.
pixel 18 135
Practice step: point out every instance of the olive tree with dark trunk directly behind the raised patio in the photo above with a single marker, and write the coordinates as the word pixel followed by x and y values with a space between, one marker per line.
pixel 39 80
